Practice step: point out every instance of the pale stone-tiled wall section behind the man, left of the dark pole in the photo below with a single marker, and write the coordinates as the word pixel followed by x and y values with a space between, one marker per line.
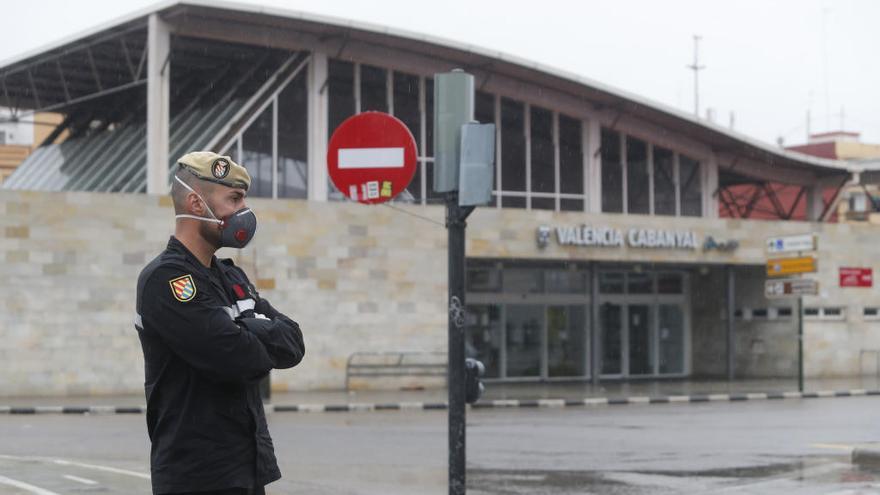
pixel 356 278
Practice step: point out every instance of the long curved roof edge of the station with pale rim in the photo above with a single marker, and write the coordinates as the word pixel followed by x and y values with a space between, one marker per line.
pixel 469 56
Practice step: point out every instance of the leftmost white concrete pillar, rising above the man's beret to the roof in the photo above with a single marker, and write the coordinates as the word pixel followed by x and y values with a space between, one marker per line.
pixel 158 106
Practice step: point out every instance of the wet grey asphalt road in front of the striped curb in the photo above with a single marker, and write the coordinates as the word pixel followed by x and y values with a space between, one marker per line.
pixel 791 446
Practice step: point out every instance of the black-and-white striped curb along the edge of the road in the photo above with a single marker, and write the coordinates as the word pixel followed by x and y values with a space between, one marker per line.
pixel 493 404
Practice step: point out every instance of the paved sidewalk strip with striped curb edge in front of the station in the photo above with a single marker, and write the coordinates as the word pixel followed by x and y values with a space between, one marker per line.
pixel 497 395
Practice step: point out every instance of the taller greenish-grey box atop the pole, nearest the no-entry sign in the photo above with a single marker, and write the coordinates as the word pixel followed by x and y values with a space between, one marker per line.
pixel 454 104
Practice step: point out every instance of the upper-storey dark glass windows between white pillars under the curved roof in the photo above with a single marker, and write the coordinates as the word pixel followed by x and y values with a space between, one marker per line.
pixel 540 158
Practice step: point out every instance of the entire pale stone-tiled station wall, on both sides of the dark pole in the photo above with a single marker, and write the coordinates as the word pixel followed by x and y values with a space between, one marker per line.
pixel 366 279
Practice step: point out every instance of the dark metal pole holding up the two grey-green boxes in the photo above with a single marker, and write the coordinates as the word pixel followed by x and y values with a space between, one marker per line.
pixel 455 225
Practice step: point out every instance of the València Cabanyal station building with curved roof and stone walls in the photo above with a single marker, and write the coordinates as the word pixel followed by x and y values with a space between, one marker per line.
pixel 619 244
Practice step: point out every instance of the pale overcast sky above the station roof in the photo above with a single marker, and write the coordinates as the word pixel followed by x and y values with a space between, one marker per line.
pixel 764 58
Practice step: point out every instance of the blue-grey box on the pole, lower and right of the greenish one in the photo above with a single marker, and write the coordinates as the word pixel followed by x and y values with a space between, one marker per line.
pixel 477 164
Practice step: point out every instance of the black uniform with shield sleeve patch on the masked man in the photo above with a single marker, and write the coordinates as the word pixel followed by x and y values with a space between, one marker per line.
pixel 208 340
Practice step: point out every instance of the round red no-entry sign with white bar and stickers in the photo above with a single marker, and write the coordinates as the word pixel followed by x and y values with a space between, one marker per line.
pixel 371 157
